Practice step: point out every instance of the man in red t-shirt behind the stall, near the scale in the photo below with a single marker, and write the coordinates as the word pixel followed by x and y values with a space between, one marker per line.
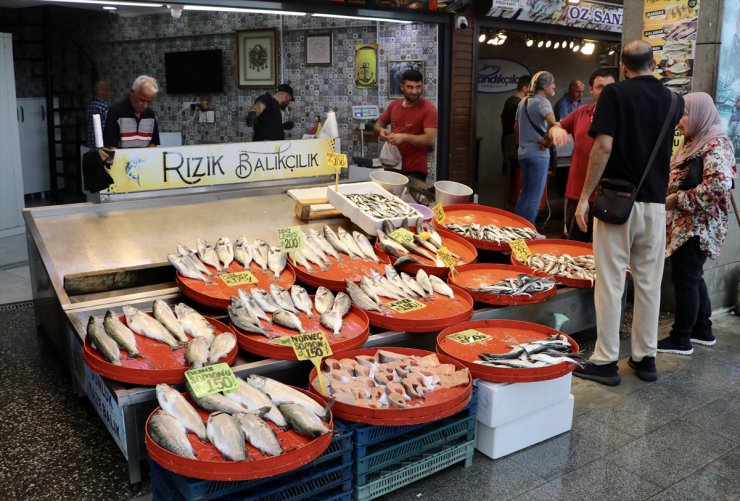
pixel 413 121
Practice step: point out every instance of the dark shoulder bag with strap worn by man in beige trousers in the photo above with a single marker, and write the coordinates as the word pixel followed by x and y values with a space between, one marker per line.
pixel 615 197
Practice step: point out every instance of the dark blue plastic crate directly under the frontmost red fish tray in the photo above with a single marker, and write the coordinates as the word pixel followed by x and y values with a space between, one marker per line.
pixel 338 454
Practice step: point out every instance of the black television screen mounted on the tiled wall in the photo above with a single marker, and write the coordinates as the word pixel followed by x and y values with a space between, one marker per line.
pixel 194 72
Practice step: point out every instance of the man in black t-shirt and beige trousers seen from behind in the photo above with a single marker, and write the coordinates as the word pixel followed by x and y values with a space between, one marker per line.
pixel 626 125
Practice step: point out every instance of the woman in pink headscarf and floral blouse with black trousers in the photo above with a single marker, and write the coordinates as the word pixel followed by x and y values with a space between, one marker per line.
pixel 697 213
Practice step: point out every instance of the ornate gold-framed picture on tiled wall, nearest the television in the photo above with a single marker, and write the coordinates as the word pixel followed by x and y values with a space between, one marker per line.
pixel 257 58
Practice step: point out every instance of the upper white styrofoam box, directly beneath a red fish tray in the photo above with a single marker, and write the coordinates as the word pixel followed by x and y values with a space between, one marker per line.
pixel 499 403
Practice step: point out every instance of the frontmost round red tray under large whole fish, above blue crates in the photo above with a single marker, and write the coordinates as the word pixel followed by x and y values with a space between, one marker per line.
pixel 211 465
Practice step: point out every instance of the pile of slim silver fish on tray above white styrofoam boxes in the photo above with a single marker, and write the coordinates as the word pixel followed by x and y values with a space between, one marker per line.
pixel 553 350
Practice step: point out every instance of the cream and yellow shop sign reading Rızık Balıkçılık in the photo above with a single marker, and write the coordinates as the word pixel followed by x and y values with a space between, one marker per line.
pixel 162 168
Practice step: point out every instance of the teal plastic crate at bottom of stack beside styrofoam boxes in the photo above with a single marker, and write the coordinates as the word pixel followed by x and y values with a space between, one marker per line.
pixel 414 469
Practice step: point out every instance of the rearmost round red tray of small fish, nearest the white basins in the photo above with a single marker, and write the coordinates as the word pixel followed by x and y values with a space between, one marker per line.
pixel 483 214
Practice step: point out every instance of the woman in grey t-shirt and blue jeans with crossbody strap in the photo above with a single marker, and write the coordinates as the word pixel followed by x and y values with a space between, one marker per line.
pixel 534 117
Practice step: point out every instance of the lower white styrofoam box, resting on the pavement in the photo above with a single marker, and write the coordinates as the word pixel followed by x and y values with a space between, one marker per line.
pixel 516 435
